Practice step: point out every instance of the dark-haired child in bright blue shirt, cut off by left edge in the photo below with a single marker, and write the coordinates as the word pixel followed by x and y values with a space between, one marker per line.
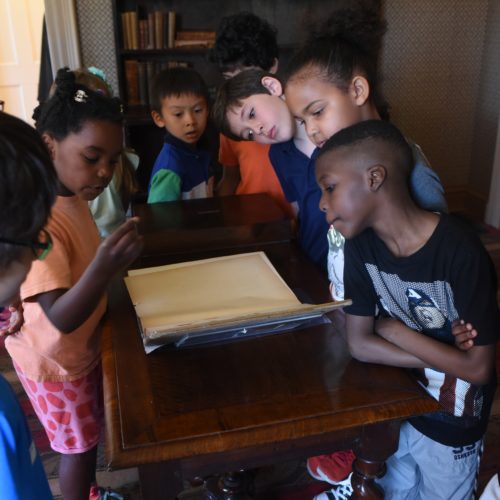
pixel 27 192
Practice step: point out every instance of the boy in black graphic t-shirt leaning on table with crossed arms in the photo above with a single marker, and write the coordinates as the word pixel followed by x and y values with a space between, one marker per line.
pixel 410 274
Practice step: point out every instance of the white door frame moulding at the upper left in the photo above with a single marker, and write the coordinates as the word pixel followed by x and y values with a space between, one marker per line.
pixel 62 34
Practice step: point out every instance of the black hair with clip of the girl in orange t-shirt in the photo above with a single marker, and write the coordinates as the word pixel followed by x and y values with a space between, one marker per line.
pixel 72 105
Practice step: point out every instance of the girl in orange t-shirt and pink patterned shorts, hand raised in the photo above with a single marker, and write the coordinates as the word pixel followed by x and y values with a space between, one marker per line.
pixel 56 353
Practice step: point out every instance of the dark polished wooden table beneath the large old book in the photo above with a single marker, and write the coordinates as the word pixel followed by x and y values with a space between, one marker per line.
pixel 179 414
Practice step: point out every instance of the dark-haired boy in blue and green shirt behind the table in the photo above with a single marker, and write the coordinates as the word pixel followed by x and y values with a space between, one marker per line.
pixel 179 103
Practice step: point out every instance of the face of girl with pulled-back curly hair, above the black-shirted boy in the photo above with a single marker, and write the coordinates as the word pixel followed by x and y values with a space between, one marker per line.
pixel 321 106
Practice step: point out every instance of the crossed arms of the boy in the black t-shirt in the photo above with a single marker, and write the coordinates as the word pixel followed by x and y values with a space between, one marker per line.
pixel 389 341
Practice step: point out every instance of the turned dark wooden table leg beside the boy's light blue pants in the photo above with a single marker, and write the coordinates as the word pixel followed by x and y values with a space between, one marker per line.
pixel 372 448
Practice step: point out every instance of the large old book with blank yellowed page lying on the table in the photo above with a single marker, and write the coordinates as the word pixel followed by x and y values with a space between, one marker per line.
pixel 179 301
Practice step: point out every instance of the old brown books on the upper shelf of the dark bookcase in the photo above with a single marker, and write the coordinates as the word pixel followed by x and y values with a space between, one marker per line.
pixel 158 31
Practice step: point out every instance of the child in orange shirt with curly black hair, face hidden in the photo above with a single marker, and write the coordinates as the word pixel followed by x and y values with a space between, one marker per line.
pixel 243 42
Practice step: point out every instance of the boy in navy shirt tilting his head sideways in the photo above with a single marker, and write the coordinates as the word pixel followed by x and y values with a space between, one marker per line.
pixel 249 107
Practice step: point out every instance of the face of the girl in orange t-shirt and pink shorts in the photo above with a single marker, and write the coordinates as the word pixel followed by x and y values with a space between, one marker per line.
pixel 85 160
